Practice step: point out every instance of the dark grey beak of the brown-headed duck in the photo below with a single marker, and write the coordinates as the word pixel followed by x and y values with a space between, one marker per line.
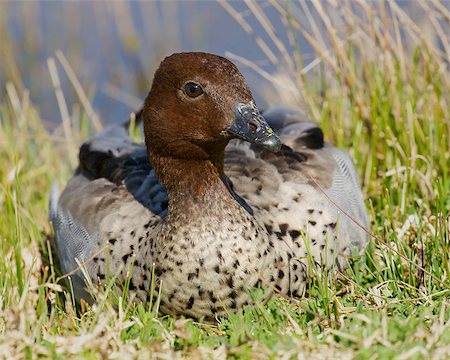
pixel 249 125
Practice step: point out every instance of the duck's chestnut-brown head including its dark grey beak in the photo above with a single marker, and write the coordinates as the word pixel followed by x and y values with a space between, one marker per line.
pixel 197 103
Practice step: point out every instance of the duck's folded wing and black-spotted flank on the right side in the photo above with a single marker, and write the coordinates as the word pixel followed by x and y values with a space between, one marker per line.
pixel 308 194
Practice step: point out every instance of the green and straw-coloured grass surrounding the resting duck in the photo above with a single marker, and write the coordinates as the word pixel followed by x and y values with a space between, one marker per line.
pixel 387 101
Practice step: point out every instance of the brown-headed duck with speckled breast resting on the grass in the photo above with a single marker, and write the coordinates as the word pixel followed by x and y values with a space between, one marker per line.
pixel 221 199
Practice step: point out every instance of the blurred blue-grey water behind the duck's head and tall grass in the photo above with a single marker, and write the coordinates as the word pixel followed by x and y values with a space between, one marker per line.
pixel 114 47
